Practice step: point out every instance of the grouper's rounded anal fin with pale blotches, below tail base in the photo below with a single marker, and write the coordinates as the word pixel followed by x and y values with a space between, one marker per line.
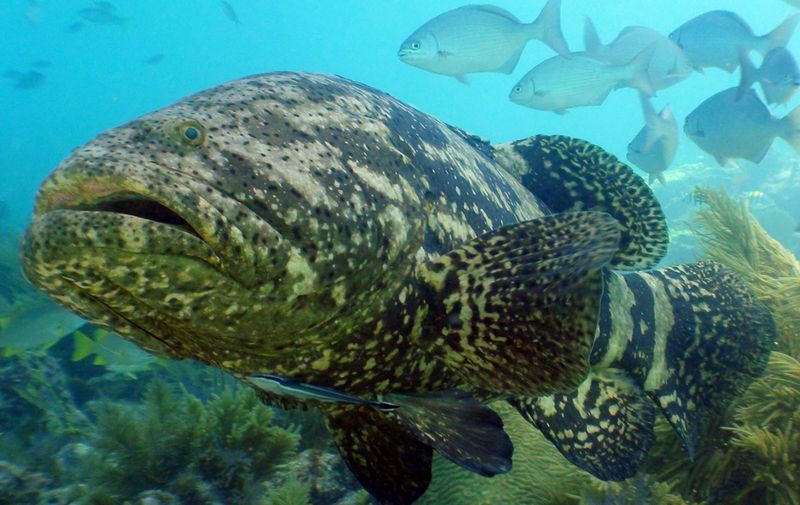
pixel 605 427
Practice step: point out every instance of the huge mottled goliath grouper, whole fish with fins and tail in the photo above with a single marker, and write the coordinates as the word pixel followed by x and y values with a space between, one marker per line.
pixel 331 246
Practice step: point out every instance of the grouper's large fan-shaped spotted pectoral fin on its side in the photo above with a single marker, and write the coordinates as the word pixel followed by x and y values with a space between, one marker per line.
pixel 515 311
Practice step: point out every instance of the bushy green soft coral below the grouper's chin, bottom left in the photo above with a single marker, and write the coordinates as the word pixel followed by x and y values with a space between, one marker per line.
pixel 220 451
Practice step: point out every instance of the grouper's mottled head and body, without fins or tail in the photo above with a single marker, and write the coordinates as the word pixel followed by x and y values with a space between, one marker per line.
pixel 309 203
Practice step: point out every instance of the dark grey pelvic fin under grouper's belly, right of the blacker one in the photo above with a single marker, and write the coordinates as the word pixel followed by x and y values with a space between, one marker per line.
pixel 459 427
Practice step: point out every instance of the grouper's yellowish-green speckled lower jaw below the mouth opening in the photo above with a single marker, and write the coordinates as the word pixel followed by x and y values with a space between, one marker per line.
pixel 142 278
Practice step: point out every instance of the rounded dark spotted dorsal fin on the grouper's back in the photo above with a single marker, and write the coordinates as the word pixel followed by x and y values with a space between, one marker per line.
pixel 569 174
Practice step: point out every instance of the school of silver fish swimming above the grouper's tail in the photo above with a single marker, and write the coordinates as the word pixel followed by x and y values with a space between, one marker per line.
pixel 480 38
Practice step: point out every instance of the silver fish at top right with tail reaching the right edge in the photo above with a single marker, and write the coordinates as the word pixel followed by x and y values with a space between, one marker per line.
pixel 714 39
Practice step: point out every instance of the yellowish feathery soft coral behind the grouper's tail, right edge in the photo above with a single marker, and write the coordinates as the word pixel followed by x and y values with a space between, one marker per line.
pixel 755 457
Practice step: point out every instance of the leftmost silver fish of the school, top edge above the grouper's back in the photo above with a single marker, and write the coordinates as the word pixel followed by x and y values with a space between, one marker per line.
pixel 480 38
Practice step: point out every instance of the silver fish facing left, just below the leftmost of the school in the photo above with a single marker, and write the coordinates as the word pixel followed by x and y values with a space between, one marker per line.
pixel 559 83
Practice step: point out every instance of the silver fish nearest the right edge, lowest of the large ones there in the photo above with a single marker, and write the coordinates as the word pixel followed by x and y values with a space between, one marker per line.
pixel 727 128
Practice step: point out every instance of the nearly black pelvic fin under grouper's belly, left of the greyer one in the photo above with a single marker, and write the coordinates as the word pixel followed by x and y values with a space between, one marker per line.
pixel 386 459
